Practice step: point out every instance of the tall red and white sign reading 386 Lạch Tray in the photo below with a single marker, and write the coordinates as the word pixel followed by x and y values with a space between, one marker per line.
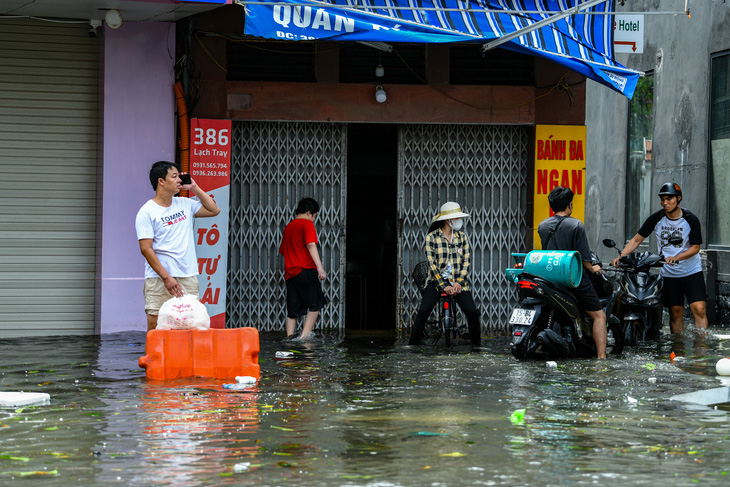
pixel 210 167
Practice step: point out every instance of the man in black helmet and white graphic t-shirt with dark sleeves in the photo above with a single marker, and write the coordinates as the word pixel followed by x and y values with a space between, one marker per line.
pixel 683 274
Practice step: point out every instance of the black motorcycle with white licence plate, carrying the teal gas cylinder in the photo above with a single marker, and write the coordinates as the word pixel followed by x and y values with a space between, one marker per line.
pixel 548 324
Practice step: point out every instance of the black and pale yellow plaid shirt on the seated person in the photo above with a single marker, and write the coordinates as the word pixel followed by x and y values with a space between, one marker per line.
pixel 439 251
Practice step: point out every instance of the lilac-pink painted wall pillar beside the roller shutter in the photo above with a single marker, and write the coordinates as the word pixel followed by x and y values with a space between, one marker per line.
pixel 137 128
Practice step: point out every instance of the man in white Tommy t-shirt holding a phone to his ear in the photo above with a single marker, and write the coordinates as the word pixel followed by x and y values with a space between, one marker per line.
pixel 165 232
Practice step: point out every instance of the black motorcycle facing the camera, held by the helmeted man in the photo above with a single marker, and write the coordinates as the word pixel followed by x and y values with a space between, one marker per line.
pixel 640 309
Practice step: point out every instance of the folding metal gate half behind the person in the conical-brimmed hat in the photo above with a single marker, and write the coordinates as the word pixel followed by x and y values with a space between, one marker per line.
pixel 482 167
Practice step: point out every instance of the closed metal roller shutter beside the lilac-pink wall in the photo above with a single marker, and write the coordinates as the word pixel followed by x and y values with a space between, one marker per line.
pixel 48 150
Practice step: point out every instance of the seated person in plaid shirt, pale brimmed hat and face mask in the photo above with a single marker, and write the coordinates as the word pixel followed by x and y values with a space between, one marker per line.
pixel 447 251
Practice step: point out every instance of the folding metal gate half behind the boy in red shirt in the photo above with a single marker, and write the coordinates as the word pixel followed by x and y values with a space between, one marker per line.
pixel 274 165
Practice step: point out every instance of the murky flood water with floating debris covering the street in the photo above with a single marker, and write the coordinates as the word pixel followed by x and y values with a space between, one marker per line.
pixel 364 411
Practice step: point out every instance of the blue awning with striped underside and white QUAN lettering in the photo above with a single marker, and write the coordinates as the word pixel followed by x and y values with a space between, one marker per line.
pixel 582 42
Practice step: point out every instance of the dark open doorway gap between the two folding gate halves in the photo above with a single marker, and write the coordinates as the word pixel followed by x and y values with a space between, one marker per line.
pixel 372 252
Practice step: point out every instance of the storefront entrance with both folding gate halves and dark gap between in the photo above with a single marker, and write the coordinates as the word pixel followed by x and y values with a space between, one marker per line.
pixel 379 185
